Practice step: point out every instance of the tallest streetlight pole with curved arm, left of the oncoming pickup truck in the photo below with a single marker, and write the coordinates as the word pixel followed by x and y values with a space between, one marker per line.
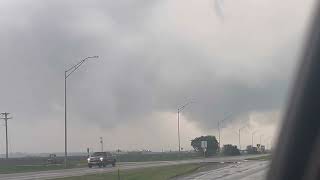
pixel 67 73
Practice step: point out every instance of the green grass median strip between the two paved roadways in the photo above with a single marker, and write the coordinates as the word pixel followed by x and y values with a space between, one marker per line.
pixel 154 173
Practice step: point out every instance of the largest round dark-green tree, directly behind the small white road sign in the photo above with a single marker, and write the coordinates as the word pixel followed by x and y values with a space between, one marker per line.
pixel 212 144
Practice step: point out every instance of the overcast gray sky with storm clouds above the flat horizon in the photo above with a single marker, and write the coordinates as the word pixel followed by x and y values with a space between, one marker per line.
pixel 229 56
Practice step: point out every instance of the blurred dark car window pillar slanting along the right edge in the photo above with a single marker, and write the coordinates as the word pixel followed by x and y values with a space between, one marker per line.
pixel 297 155
